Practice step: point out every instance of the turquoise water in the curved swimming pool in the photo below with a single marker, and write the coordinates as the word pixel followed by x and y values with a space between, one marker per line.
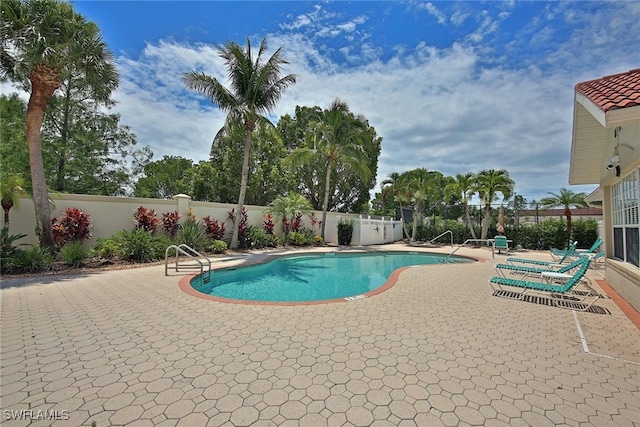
pixel 312 277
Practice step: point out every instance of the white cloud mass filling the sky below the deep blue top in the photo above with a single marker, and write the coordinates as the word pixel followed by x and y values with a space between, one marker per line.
pixel 440 108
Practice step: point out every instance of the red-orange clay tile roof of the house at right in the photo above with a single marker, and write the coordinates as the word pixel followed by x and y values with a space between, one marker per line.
pixel 613 92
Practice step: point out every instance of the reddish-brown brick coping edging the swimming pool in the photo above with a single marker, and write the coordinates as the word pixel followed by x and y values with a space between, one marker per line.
pixel 185 282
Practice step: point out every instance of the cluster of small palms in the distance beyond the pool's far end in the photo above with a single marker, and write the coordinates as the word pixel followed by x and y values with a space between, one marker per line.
pixel 420 187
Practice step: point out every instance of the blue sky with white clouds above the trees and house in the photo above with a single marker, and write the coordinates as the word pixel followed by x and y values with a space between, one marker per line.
pixel 451 86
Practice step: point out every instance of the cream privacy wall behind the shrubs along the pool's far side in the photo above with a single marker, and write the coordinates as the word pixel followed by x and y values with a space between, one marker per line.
pixel 112 214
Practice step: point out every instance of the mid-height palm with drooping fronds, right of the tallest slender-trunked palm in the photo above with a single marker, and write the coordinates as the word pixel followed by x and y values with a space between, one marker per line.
pixel 335 138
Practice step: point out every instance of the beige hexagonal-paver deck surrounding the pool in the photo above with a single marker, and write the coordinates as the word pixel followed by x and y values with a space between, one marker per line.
pixel 129 347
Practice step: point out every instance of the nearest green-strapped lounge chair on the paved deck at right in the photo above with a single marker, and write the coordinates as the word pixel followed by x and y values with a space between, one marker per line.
pixel 549 287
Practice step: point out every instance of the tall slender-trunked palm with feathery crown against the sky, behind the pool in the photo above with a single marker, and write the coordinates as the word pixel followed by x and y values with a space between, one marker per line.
pixel 256 87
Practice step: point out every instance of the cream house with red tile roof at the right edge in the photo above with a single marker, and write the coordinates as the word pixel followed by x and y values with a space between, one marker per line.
pixel 605 150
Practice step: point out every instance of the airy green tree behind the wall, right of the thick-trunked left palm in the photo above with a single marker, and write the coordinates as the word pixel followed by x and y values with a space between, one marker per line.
pixel 86 150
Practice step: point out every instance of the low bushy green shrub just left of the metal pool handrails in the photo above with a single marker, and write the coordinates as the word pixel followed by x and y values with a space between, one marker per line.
pixel 140 245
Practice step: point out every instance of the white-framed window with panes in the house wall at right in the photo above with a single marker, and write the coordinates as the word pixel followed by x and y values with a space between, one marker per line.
pixel 625 207
